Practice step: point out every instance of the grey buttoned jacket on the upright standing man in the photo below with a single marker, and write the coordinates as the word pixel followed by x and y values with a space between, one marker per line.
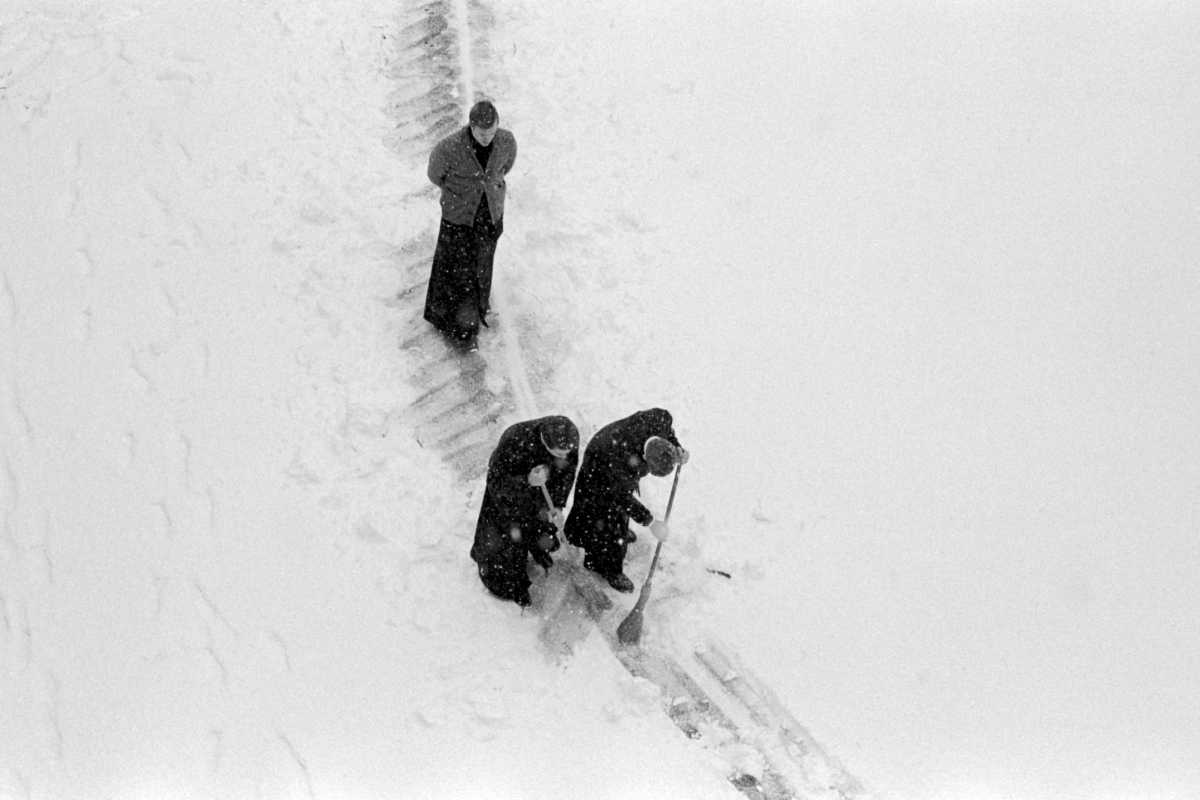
pixel 455 170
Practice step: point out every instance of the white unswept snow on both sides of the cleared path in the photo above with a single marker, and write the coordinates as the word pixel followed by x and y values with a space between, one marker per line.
pixel 919 286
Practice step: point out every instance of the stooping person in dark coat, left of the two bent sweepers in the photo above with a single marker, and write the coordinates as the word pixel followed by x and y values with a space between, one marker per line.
pixel 517 522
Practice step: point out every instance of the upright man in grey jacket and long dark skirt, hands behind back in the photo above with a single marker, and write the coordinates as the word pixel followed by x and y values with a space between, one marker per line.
pixel 470 167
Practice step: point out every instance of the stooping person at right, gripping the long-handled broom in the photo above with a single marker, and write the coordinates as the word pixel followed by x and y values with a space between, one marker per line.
pixel 616 460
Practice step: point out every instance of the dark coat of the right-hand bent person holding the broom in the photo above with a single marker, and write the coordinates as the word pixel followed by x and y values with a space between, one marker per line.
pixel 609 479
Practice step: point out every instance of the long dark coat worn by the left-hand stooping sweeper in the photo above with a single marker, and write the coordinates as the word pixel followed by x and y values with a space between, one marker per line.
pixel 511 504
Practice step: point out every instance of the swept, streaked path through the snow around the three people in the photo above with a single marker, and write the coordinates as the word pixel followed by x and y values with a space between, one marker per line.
pixel 467 399
